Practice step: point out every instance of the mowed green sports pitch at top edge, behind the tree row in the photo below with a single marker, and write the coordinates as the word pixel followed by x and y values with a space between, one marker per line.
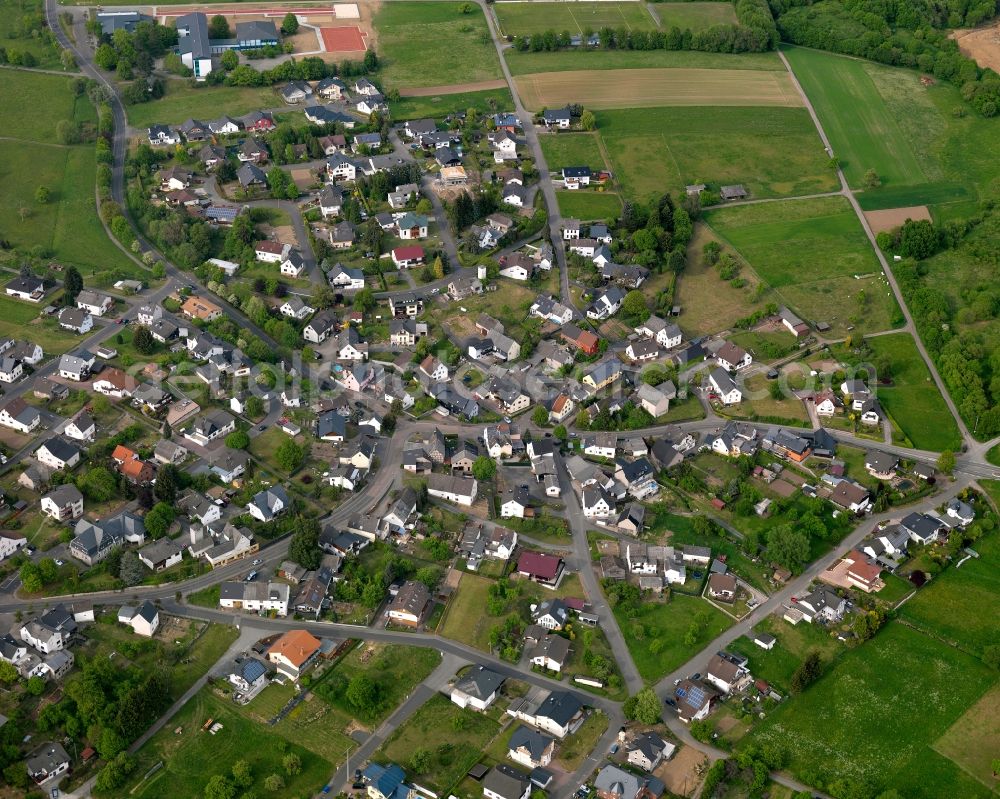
pixel 524 19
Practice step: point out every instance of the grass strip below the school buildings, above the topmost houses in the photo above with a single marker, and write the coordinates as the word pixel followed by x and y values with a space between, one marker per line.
pixel 182 102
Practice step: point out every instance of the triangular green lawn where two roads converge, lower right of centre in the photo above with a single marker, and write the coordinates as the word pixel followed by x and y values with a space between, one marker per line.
pixel 655 635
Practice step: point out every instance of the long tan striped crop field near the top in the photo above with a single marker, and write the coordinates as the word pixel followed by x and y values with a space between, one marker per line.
pixel 646 88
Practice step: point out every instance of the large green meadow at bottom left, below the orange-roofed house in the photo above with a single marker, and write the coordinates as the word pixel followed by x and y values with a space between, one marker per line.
pixel 192 756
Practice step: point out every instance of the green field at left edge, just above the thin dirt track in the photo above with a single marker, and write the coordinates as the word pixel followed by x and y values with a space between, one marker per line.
pixel 49 100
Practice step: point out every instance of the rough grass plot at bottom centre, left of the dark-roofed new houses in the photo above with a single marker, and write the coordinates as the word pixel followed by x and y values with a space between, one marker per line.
pixel 454 738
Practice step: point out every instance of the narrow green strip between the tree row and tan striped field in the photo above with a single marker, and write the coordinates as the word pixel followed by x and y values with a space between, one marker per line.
pixel 572 60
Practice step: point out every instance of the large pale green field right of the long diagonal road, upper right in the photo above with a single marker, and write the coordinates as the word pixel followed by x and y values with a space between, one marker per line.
pixel 921 140
